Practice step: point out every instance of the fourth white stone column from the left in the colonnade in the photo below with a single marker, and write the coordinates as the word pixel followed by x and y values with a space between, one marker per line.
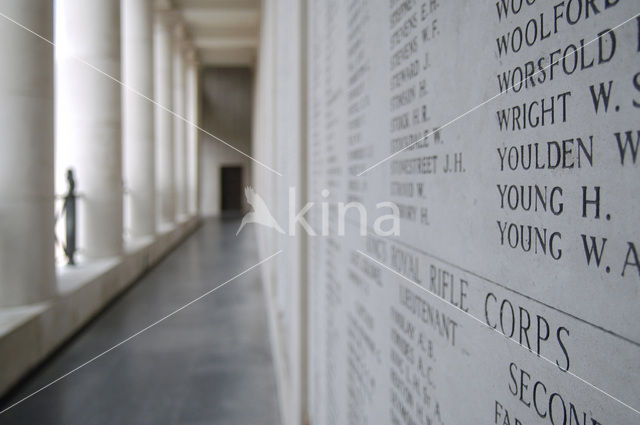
pixel 163 95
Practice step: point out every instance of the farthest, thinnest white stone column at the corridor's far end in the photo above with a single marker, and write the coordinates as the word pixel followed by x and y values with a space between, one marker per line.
pixel 192 131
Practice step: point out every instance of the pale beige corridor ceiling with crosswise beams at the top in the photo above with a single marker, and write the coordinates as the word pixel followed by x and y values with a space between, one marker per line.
pixel 225 32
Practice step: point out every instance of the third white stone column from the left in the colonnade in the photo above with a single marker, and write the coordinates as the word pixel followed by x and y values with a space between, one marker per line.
pixel 138 120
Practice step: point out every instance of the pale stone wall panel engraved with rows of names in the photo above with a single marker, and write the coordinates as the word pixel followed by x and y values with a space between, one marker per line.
pixel 507 135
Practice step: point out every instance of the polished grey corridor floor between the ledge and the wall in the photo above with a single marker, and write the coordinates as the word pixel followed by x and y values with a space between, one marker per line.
pixel 208 364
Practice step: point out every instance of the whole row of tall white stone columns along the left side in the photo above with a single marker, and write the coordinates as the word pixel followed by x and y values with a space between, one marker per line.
pixel 106 132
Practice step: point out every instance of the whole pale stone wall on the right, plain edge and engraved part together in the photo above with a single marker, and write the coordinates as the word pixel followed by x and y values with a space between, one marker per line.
pixel 388 342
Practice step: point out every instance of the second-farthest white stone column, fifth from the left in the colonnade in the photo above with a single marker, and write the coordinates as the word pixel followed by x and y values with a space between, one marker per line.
pixel 179 126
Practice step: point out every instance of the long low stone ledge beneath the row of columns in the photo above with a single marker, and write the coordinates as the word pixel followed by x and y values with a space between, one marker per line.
pixel 28 334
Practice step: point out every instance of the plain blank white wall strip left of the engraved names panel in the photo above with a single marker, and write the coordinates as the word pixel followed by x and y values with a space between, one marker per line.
pixel 279 143
